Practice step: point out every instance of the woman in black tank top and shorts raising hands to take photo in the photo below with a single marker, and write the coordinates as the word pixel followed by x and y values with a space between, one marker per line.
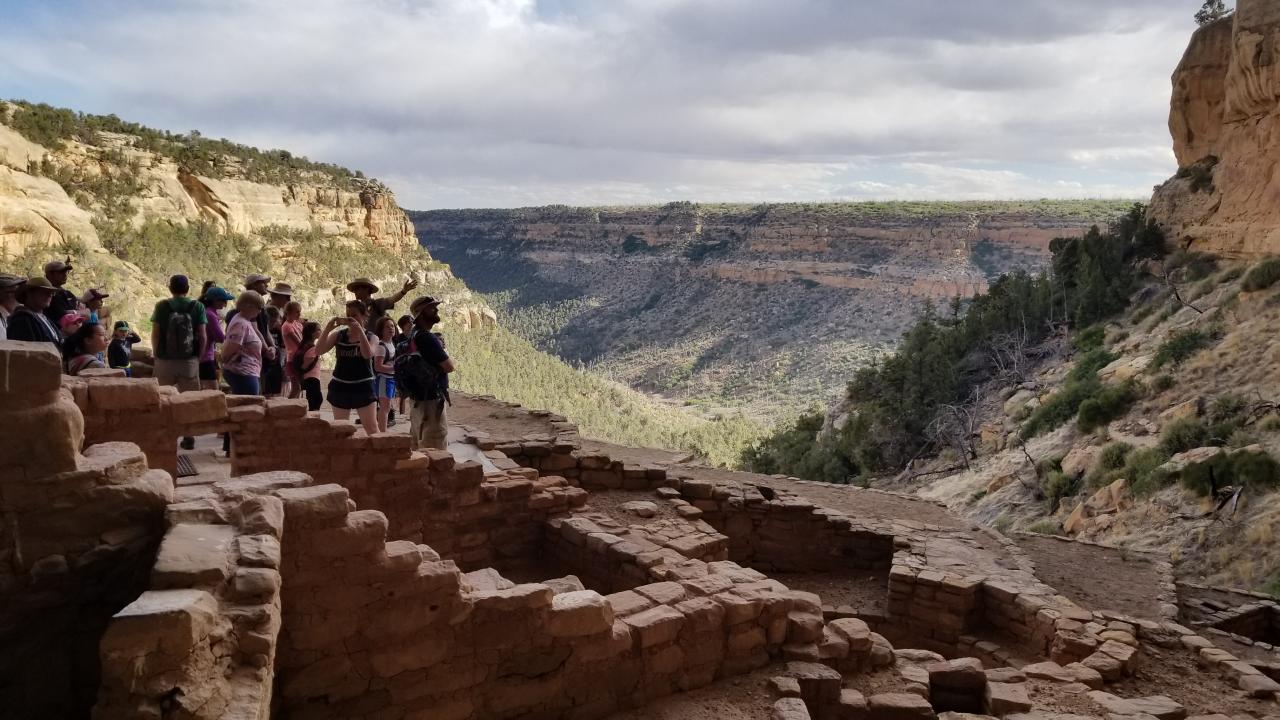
pixel 353 384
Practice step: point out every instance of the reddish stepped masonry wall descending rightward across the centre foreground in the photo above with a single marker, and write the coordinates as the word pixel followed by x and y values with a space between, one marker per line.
pixel 376 628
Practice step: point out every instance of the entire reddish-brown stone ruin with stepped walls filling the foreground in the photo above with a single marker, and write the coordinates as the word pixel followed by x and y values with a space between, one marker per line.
pixel 327 581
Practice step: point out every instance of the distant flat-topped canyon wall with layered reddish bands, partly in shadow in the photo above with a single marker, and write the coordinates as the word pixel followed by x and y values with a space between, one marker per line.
pixel 767 308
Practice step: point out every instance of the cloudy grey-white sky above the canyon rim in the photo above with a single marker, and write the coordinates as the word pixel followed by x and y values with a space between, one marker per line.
pixel 506 103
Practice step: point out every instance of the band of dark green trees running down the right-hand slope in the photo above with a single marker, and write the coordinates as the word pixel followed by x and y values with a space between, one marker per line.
pixel 913 402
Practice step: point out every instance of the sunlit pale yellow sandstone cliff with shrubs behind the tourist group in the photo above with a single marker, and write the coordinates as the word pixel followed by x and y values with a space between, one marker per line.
pixel 112 194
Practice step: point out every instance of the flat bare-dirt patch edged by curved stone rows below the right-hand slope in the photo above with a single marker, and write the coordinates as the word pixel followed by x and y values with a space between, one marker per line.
pixel 1098 577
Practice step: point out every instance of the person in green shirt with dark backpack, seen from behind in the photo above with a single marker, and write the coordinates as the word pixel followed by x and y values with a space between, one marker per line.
pixel 180 340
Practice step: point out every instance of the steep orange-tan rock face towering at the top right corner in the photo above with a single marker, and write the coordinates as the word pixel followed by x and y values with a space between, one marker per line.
pixel 1226 125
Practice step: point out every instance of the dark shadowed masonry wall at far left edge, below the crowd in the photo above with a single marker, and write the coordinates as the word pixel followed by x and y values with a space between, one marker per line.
pixel 79 535
